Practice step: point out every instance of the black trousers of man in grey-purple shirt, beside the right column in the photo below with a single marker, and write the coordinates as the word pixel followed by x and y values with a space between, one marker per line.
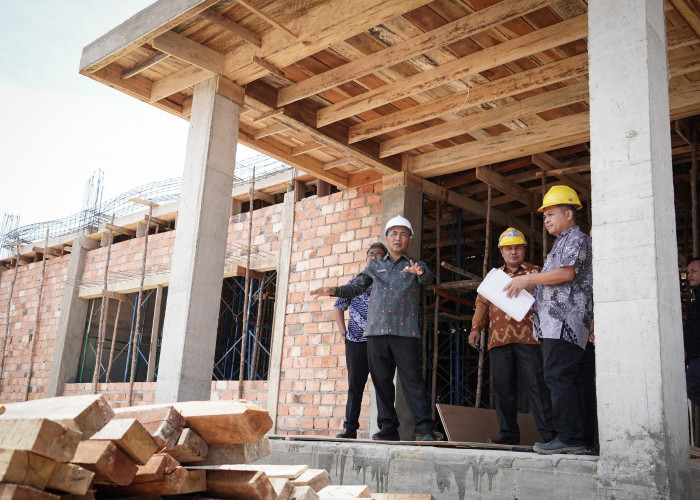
pixel 562 378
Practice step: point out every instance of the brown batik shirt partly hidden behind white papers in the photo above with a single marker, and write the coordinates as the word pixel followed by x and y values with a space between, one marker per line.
pixel 502 328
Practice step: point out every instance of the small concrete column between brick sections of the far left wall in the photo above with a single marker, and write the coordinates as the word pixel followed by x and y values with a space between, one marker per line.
pixel 71 326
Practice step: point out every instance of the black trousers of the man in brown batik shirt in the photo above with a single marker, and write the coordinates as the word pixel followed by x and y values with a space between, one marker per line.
pixel 505 361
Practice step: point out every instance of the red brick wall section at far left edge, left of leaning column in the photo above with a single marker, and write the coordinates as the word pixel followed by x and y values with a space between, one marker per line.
pixel 23 311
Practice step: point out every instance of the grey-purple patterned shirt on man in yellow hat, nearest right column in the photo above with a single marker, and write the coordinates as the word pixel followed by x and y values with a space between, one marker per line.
pixel 565 311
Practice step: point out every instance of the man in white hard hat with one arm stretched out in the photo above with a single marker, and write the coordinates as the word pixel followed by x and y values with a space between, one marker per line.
pixel 393 336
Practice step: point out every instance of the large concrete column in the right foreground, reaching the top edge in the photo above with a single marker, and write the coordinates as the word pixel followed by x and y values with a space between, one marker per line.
pixel 642 410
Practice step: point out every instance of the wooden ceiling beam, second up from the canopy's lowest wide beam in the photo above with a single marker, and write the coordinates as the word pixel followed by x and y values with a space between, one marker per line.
pixel 477 121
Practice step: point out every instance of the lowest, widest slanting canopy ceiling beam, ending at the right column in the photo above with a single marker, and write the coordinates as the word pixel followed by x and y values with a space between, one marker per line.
pixel 553 134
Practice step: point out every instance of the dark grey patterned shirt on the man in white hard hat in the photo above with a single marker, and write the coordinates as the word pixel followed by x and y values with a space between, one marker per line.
pixel 394 303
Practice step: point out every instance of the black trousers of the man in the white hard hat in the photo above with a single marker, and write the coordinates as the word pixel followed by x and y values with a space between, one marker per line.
pixel 387 354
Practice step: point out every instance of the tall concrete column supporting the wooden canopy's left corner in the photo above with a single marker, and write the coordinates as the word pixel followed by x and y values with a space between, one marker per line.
pixel 194 293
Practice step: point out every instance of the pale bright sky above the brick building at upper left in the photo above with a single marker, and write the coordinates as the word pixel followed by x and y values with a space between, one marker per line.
pixel 58 126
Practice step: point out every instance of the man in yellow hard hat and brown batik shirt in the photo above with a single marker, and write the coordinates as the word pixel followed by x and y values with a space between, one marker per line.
pixel 511 346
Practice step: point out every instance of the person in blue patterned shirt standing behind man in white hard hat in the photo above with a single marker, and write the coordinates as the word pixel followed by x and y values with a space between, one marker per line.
pixel 355 347
